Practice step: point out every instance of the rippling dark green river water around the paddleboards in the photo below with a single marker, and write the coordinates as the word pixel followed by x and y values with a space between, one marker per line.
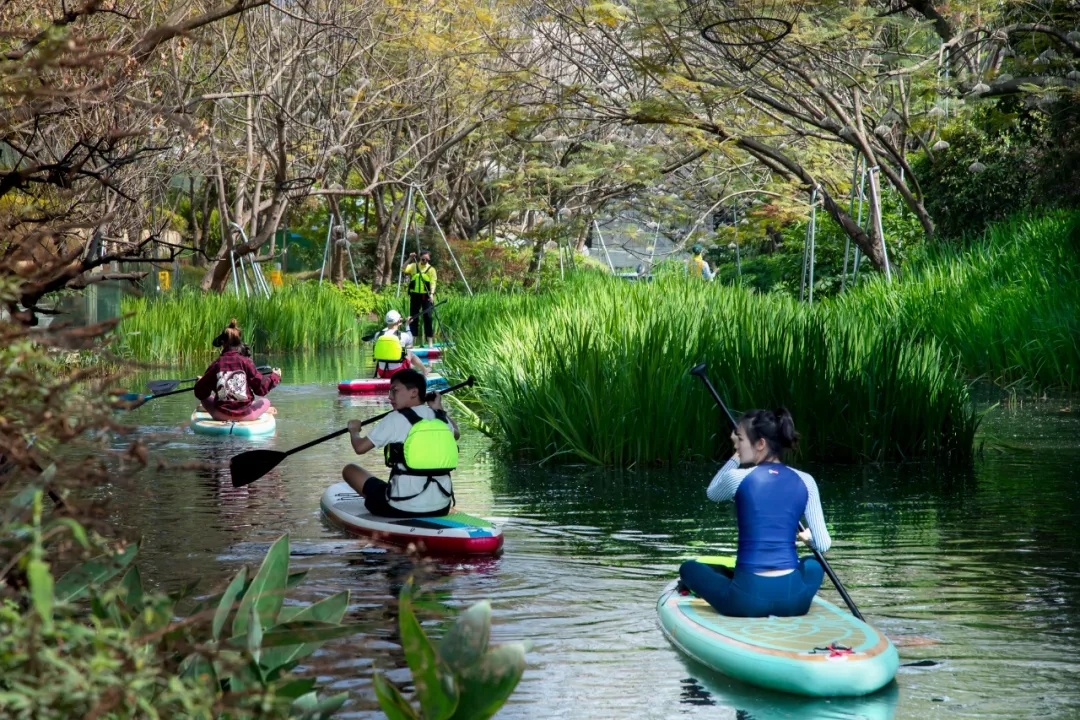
pixel 976 574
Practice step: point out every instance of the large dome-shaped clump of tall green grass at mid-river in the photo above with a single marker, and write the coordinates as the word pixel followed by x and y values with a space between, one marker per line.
pixel 598 373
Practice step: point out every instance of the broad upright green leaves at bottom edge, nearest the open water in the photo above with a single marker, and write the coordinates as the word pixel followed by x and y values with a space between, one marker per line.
pixel 462 678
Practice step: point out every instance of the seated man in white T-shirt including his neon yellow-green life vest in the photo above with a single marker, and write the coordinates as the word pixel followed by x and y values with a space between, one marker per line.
pixel 421 449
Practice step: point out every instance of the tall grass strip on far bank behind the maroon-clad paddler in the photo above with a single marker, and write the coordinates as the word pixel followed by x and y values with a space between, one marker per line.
pixel 183 325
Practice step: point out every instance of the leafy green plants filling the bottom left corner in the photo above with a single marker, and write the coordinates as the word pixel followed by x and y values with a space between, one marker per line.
pixel 125 655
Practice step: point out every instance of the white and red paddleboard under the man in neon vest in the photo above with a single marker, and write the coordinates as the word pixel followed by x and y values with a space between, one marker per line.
pixel 456 534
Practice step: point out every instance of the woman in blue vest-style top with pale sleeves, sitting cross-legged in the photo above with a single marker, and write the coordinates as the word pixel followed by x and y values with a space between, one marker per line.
pixel 771 500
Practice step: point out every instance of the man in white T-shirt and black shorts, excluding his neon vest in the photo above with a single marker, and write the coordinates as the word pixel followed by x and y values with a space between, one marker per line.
pixel 407 495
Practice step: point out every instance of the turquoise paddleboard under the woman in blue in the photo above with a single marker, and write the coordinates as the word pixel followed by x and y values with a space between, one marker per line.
pixel 827 654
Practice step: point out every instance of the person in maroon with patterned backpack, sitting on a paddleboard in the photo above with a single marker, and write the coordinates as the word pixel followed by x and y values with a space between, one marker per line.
pixel 229 386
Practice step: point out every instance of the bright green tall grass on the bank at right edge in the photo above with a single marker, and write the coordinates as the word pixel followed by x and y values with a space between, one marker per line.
pixel 1006 307
